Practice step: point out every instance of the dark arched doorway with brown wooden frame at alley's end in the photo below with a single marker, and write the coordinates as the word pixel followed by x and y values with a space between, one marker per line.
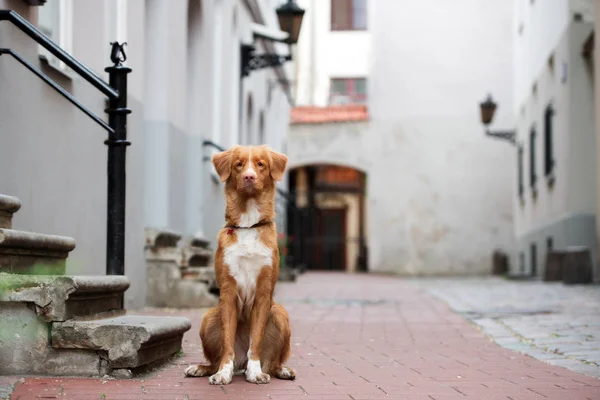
pixel 326 218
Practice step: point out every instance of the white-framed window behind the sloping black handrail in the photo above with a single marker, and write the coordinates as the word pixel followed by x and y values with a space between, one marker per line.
pixel 56 22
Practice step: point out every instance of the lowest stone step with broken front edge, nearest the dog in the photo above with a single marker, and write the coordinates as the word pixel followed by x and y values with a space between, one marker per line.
pixel 130 341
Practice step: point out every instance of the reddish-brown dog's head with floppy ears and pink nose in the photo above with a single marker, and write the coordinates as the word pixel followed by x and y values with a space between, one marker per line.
pixel 250 169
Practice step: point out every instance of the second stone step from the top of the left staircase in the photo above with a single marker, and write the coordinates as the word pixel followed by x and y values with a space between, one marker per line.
pixel 33 253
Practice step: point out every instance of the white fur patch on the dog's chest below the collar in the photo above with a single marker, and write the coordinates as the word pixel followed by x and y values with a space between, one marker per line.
pixel 245 260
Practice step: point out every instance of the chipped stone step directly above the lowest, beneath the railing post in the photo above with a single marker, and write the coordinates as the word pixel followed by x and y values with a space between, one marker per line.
pixel 60 298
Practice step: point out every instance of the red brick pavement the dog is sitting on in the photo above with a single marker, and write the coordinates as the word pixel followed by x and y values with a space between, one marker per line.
pixel 355 337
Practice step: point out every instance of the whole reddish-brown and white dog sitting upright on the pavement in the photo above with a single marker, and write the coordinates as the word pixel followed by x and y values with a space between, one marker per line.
pixel 247 330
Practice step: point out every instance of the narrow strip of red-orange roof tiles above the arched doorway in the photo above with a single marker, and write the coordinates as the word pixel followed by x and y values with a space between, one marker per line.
pixel 321 115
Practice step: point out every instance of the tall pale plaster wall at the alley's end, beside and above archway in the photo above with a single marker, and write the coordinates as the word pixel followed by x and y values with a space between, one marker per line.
pixel 439 192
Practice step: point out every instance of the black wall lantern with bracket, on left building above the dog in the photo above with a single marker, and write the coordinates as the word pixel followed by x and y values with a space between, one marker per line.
pixel 290 20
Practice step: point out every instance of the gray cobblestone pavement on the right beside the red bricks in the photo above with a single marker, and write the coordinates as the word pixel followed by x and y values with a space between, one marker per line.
pixel 552 322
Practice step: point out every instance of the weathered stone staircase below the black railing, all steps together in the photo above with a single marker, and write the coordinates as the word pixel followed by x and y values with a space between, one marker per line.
pixel 54 324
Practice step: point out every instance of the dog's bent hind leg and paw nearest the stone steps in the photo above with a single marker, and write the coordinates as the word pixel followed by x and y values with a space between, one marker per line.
pixel 211 337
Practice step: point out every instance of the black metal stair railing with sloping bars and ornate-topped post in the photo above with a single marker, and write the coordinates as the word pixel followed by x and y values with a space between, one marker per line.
pixel 116 91
